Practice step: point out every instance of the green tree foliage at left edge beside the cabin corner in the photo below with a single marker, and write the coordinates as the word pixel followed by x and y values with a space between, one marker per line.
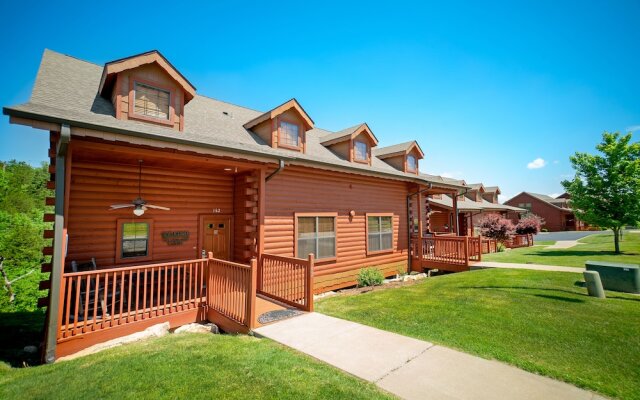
pixel 22 206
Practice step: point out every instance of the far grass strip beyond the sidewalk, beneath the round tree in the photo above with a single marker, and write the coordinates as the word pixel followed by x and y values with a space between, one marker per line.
pixel 595 248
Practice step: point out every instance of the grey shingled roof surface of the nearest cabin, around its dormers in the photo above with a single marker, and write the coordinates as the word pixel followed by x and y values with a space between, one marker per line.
pixel 66 91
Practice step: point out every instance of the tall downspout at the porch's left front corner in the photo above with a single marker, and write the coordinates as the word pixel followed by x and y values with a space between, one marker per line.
pixel 57 260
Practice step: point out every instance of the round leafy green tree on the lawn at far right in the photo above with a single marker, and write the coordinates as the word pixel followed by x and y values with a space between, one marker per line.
pixel 606 188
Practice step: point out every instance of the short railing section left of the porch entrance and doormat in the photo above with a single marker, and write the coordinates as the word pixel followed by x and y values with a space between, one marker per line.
pixel 231 290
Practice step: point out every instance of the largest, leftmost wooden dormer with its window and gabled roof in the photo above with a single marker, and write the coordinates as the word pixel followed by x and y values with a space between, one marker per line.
pixel 147 88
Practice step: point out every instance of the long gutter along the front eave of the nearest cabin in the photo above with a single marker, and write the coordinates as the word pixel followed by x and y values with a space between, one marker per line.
pixel 80 124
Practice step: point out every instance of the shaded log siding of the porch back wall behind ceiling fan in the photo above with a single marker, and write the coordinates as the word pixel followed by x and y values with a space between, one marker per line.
pixel 95 186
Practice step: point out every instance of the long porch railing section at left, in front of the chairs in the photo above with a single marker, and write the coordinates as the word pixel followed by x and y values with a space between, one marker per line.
pixel 102 299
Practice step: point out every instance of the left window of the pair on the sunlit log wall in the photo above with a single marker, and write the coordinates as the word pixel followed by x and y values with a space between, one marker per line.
pixel 316 235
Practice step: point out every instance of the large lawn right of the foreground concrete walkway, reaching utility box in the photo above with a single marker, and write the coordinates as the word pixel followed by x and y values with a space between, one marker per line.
pixel 542 322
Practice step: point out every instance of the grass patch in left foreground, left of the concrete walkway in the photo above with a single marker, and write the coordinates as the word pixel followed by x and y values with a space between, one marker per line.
pixel 187 366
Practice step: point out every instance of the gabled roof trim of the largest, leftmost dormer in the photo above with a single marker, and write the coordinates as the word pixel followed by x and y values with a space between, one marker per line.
pixel 112 68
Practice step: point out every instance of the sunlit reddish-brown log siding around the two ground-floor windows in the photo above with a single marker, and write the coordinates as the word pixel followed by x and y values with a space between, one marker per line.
pixel 306 190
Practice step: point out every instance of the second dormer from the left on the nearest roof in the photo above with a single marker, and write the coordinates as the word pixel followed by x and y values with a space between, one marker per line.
pixel 284 127
